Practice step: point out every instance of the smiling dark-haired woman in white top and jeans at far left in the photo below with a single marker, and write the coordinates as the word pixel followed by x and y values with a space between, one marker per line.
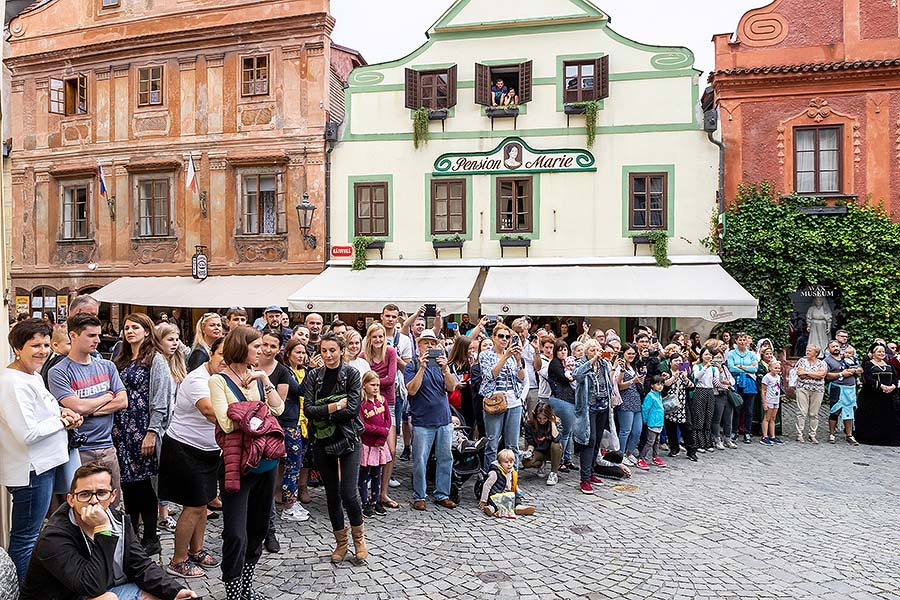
pixel 33 439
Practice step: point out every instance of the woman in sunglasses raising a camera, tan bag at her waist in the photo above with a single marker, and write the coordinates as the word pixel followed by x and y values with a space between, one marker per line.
pixel 502 378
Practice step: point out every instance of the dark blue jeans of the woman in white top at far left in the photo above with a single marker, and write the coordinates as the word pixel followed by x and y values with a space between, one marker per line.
pixel 30 505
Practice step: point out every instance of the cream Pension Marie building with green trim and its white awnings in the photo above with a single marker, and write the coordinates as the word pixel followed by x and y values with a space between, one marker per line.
pixel 518 187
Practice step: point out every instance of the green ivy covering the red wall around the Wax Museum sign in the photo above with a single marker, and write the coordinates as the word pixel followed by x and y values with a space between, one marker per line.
pixel 773 250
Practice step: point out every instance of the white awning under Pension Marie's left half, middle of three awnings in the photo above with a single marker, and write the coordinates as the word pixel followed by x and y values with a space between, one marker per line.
pixel 339 289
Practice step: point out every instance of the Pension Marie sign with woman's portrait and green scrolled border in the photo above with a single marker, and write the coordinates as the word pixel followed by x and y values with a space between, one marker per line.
pixel 513 156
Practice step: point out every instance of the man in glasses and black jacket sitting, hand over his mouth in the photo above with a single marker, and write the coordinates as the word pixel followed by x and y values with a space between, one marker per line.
pixel 88 550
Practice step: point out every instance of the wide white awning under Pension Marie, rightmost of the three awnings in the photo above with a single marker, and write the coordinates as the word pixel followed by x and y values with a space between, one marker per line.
pixel 696 291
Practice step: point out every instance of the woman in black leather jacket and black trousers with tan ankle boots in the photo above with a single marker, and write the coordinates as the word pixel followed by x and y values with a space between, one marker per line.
pixel 331 399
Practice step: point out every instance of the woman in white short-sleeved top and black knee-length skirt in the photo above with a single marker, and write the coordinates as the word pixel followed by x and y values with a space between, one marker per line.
pixel 189 463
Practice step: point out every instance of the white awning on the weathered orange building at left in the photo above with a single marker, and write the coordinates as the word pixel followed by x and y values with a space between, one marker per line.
pixel 249 291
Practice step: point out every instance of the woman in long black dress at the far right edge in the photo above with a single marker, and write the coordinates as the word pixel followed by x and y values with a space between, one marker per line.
pixel 878 414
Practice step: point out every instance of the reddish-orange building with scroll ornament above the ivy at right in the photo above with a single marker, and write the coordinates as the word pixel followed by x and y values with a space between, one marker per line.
pixel 809 98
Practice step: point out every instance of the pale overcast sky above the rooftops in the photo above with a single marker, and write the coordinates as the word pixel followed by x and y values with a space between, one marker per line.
pixel 389 29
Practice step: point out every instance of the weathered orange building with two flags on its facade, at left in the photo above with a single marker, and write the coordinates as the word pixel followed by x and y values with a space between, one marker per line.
pixel 245 87
